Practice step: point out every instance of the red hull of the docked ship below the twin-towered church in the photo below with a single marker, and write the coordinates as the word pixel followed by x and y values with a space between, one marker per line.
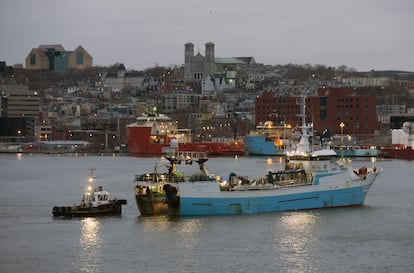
pixel 140 142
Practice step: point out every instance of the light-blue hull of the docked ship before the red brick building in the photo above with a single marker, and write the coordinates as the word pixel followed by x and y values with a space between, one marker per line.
pixel 258 145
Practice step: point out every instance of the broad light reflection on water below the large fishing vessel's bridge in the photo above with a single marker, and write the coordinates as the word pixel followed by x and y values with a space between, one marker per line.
pixel 295 241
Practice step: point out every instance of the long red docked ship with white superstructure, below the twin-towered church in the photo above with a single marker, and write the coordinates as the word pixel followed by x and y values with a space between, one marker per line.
pixel 152 134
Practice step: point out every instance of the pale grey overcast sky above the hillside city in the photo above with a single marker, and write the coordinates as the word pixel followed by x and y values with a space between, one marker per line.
pixel 361 34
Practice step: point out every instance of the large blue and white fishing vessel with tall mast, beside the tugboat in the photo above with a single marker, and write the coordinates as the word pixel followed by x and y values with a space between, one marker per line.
pixel 310 179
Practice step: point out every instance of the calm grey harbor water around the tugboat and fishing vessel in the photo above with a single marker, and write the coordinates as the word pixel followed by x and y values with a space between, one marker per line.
pixel 376 237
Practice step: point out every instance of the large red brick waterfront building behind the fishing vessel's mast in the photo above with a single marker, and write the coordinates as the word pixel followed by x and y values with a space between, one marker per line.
pixel 327 110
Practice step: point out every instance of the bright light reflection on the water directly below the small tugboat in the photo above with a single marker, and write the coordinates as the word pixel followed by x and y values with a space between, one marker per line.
pixel 90 243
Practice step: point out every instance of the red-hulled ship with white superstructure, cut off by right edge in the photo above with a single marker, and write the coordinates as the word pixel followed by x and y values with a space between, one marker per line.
pixel 402 143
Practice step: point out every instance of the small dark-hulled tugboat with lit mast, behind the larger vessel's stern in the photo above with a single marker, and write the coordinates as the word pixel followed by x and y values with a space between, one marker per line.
pixel 95 202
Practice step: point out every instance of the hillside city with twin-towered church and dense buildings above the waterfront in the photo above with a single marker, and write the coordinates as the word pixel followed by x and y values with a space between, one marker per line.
pixel 59 95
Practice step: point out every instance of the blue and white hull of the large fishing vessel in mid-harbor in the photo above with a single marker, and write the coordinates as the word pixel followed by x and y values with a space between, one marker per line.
pixel 203 198
